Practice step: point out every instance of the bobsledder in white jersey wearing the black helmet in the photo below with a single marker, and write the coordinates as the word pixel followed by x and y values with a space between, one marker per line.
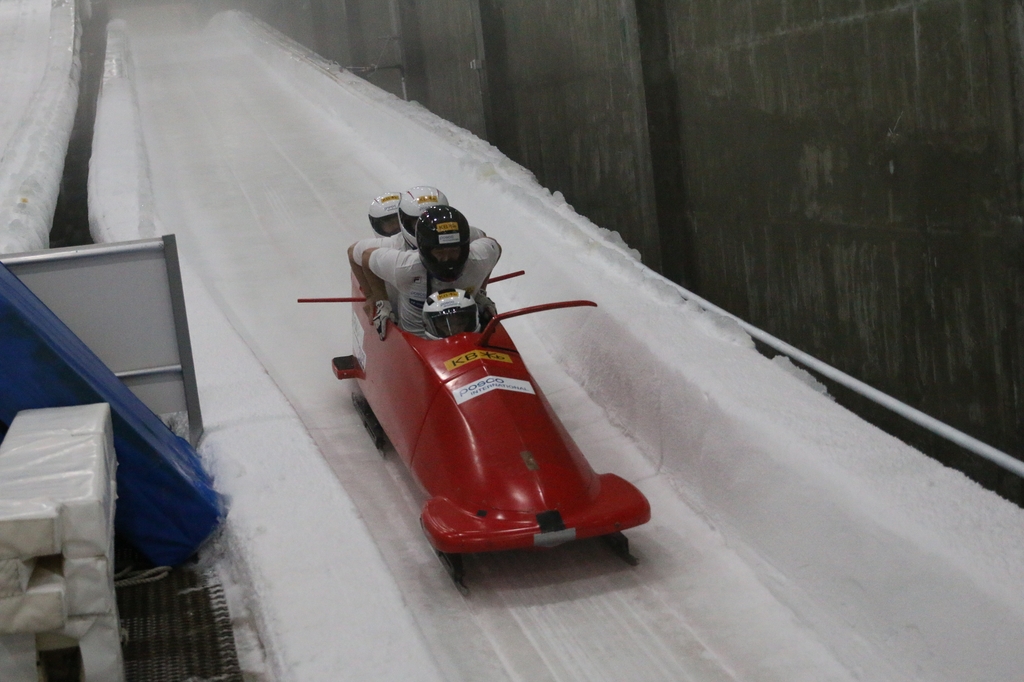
pixel 446 259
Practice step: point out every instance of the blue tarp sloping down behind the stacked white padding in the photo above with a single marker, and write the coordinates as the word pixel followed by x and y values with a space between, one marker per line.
pixel 166 504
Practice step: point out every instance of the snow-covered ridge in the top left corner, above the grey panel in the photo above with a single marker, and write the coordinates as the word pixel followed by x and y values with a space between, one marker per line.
pixel 32 165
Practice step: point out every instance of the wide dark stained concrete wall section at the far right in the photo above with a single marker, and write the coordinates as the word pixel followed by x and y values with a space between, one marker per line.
pixel 852 180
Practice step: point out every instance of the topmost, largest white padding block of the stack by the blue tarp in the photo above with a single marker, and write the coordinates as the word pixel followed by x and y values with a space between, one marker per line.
pixel 65 455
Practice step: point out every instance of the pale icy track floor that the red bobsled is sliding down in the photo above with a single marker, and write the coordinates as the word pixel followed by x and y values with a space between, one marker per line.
pixel 265 190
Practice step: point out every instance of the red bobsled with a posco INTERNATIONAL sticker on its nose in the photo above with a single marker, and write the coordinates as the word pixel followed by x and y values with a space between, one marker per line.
pixel 478 434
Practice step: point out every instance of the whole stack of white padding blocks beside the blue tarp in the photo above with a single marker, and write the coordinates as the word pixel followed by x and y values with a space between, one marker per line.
pixel 58 481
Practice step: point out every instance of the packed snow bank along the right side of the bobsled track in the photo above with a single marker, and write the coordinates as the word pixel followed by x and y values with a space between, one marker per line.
pixel 834 514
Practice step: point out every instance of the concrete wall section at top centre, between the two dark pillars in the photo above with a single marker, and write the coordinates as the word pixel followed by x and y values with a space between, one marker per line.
pixel 567 98
